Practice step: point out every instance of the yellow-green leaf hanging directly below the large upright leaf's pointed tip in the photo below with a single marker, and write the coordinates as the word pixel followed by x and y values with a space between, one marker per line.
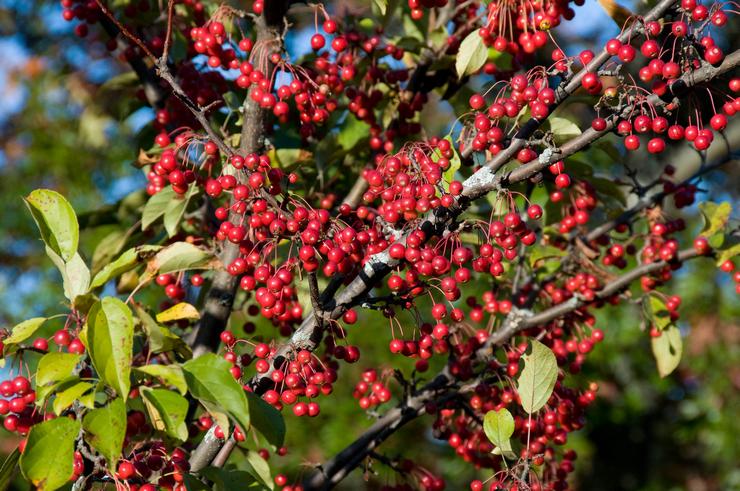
pixel 105 430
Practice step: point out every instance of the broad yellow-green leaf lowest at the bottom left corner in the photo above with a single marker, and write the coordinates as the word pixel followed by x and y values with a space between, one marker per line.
pixel 48 458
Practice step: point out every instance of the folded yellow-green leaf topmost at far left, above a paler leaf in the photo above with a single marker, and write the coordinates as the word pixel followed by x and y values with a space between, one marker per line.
pixel 56 221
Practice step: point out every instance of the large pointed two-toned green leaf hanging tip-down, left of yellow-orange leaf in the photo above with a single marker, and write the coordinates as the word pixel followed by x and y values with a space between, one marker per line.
pixel 109 338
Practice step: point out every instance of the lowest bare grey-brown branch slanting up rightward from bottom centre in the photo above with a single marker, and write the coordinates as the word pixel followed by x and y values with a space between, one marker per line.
pixel 444 385
